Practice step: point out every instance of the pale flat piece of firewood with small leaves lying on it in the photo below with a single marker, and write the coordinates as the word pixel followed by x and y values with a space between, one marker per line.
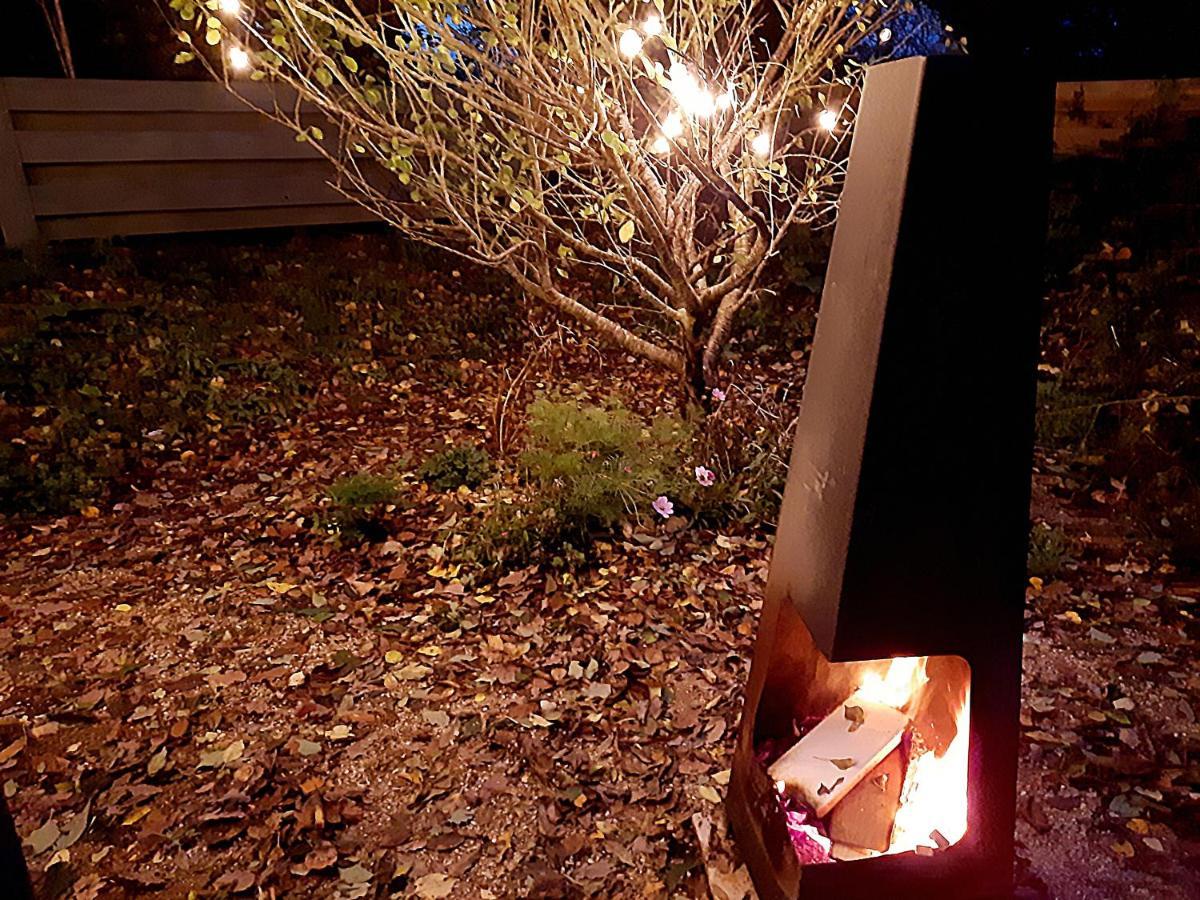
pixel 832 759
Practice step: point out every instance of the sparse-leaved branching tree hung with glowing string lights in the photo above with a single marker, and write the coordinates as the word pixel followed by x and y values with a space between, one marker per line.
pixel 634 166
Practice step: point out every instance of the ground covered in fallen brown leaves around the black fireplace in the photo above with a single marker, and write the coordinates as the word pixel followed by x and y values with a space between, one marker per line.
pixel 201 695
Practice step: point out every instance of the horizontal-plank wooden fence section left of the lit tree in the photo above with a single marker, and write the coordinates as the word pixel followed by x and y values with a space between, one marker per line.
pixel 91 159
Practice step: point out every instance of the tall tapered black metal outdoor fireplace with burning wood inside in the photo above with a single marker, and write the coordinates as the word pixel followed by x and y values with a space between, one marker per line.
pixel 905 520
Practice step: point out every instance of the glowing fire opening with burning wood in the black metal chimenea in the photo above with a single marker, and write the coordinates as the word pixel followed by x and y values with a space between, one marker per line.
pixel 877 763
